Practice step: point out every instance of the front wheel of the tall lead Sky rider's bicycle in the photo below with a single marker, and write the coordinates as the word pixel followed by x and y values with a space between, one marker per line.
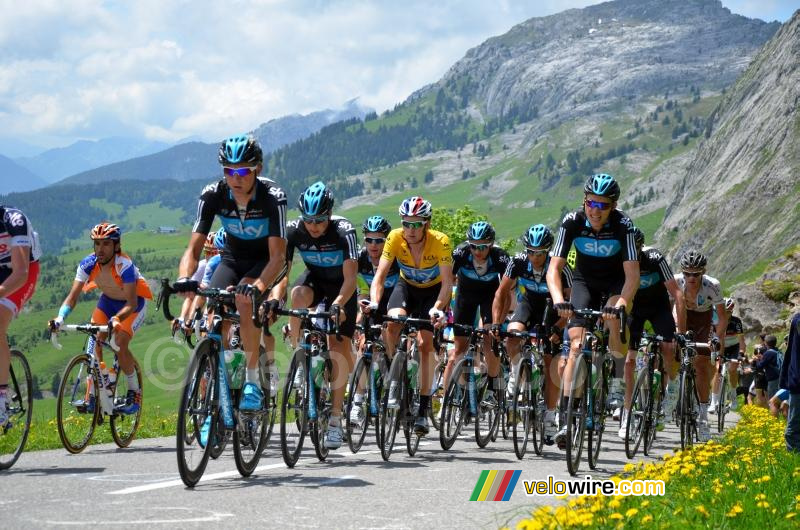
pixel 197 415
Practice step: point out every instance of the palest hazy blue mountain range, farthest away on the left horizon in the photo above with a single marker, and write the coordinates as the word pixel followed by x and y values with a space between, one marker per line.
pixel 55 164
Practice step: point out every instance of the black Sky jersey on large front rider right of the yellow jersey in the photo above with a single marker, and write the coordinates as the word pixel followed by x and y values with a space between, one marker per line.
pixel 599 256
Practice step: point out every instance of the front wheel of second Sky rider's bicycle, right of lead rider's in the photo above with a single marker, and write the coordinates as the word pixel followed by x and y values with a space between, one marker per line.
pixel 294 409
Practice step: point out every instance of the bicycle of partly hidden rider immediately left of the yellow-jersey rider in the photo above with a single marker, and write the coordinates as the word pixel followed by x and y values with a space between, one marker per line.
pixel 368 375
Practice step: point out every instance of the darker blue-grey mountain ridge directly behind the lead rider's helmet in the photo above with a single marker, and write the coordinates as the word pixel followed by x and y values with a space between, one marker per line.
pixel 199 160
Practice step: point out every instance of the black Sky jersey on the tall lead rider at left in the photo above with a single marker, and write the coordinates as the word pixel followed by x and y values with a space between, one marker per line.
pixel 248 230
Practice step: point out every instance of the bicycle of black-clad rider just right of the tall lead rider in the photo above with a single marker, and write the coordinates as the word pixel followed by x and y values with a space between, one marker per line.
pixel 307 395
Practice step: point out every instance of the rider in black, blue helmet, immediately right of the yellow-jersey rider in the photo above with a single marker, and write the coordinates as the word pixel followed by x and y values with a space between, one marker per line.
pixel 478 265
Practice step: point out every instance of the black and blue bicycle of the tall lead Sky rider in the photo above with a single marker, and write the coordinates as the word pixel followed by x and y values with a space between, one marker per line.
pixel 209 402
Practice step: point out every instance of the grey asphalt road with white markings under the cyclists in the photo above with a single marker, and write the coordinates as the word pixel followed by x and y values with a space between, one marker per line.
pixel 140 486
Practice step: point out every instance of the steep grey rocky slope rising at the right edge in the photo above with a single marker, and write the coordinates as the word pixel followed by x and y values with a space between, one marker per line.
pixel 738 197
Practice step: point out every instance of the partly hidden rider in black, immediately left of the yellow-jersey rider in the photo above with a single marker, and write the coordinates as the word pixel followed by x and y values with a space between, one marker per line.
pixel 376 229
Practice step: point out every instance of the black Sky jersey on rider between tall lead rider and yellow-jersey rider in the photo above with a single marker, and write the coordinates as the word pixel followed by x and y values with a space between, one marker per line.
pixel 325 255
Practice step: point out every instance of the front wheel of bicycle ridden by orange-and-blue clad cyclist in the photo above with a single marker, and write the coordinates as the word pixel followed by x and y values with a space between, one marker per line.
pixel 77 409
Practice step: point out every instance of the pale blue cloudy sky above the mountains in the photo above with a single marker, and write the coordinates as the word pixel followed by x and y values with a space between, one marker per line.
pixel 171 69
